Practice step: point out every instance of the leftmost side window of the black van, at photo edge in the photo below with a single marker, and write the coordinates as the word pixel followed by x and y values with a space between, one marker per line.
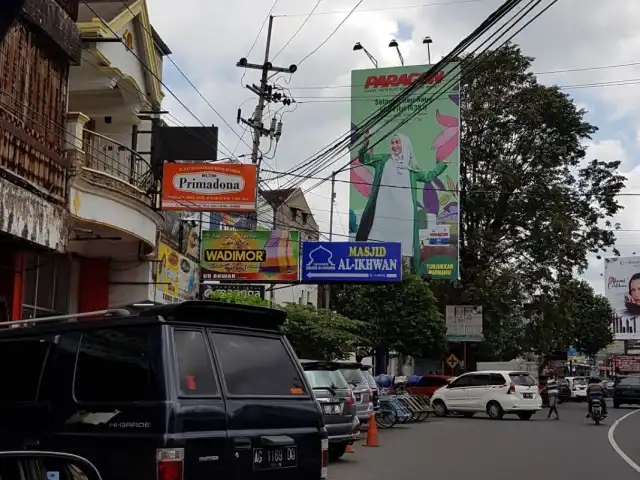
pixel 22 362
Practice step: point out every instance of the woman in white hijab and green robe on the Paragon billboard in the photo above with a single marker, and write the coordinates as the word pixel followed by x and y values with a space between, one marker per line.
pixel 390 214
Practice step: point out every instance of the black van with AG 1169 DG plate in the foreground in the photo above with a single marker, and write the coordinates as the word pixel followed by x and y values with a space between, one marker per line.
pixel 185 391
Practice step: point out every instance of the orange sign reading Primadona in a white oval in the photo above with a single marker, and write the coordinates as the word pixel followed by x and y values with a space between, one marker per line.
pixel 211 187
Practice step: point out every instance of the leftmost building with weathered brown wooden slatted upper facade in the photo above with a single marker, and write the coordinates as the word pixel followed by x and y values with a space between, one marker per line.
pixel 35 58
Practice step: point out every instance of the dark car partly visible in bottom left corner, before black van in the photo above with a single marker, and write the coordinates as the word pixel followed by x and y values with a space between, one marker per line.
pixel 32 465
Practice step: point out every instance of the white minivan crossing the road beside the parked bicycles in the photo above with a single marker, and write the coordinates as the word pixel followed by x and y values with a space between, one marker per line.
pixel 495 392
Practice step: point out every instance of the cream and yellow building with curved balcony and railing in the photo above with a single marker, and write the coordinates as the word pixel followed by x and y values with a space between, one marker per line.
pixel 114 96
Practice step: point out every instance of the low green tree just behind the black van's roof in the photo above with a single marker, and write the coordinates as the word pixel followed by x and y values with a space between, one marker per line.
pixel 314 333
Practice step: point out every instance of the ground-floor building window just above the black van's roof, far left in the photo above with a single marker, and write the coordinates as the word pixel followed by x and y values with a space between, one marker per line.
pixel 46 285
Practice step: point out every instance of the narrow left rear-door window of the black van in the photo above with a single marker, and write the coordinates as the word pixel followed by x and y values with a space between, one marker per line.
pixel 195 369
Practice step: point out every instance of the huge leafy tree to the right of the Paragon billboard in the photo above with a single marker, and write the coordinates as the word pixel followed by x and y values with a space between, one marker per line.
pixel 533 207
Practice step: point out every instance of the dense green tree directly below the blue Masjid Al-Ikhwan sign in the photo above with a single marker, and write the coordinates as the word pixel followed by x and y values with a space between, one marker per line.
pixel 400 317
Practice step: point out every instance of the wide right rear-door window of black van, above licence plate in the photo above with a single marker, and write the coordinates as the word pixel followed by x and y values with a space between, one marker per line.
pixel 259 366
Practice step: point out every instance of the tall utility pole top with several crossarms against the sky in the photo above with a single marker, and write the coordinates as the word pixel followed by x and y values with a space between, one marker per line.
pixel 265 94
